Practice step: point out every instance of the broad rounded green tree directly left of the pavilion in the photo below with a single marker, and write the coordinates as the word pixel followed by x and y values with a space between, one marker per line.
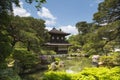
pixel 29 31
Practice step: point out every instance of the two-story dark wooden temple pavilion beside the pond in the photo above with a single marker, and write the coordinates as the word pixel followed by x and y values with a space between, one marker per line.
pixel 58 41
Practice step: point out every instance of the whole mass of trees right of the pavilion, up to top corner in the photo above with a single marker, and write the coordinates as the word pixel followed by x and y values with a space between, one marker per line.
pixel 102 36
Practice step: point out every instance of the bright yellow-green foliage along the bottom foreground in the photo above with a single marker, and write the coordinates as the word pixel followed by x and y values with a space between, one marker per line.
pixel 87 74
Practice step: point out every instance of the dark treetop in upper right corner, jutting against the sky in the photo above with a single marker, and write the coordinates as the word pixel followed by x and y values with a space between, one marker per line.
pixel 108 11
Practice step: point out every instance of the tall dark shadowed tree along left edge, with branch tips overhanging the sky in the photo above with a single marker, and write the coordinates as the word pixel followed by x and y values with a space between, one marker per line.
pixel 6 15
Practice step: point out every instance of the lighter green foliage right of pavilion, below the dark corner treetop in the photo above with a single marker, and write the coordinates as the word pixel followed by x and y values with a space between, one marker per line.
pixel 101 40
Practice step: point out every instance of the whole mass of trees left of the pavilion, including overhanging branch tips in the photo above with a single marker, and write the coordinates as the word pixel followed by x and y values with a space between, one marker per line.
pixel 22 35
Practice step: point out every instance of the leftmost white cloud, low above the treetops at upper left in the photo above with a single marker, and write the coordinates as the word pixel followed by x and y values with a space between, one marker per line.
pixel 20 11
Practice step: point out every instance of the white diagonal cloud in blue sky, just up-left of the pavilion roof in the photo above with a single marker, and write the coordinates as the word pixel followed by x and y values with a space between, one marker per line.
pixel 47 16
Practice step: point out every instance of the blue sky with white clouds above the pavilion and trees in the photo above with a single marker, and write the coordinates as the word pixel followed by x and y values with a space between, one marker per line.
pixel 62 14
